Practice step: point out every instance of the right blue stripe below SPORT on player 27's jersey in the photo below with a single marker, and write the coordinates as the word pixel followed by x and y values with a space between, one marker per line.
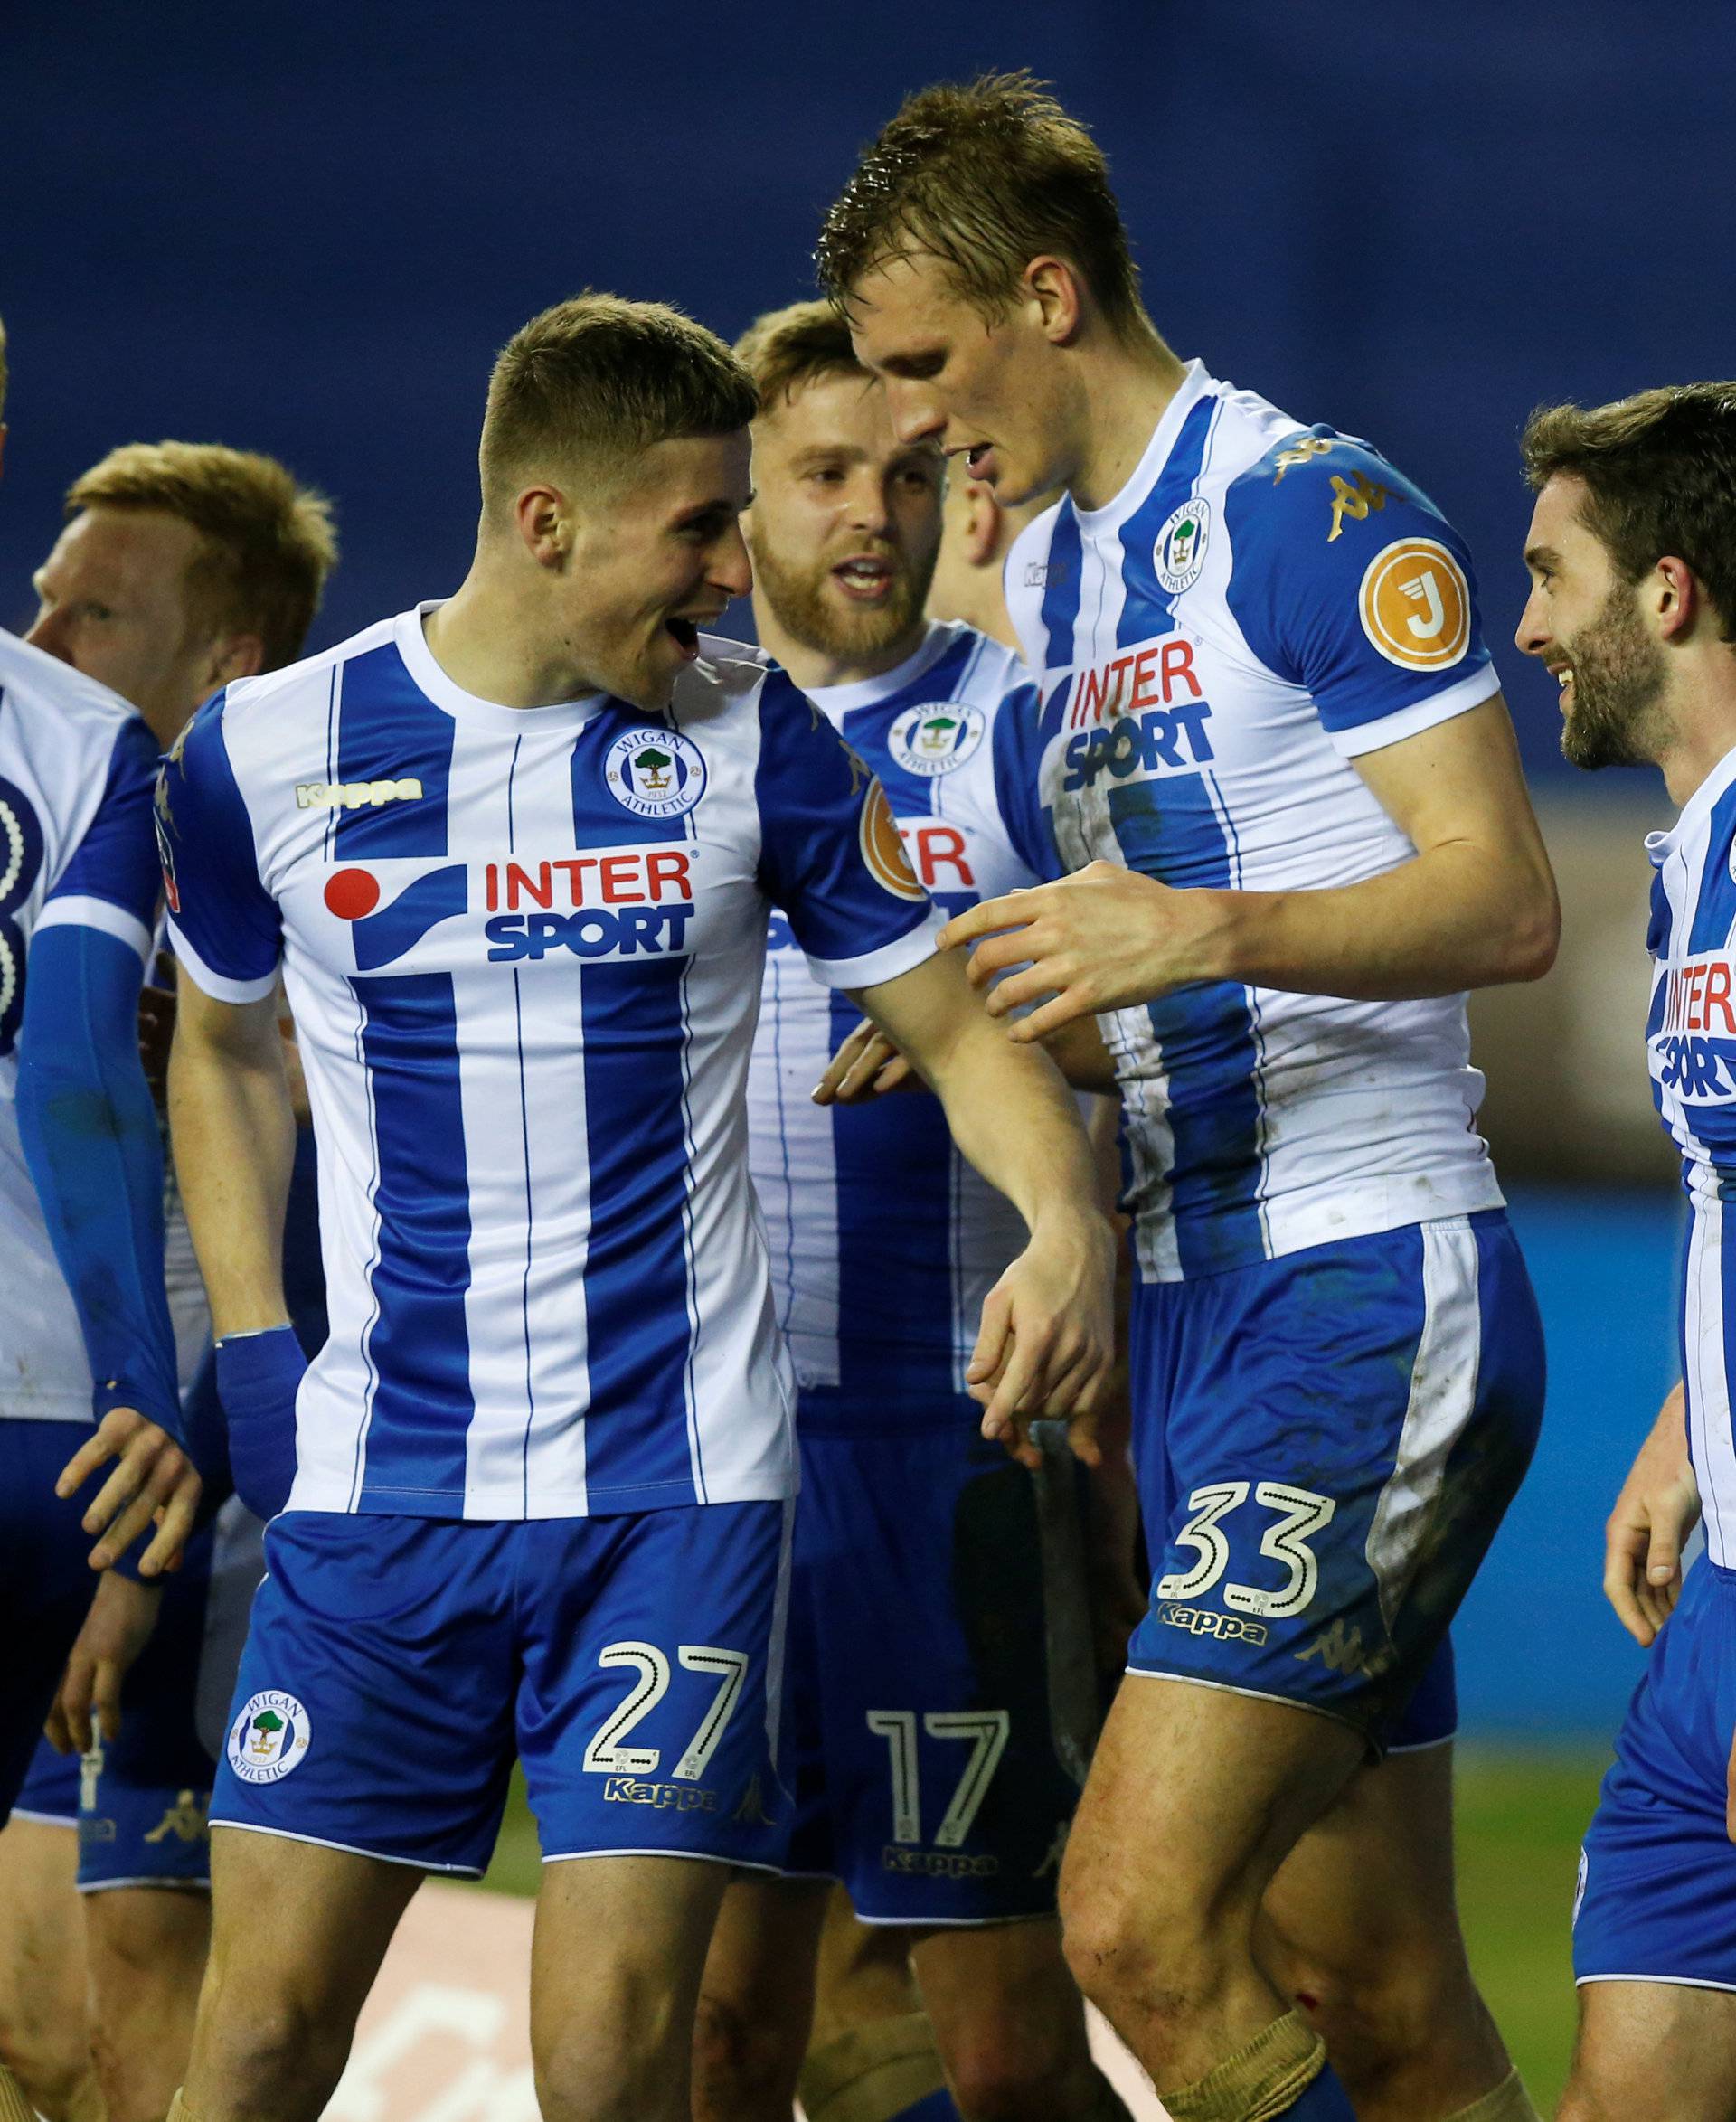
pixel 636 1289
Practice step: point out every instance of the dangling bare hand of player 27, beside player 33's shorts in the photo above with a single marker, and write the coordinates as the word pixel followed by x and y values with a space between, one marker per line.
pixel 1047 1338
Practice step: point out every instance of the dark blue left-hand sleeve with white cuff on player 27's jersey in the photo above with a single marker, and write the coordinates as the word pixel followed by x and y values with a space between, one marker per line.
pixel 224 924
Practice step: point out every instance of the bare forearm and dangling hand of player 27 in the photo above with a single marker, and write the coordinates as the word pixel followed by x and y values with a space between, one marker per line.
pixel 1047 1338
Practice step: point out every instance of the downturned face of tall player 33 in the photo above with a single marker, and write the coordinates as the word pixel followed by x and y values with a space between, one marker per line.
pixel 986 392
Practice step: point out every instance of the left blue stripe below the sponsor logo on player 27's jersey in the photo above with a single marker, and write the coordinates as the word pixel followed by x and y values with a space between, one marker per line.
pixel 419 1344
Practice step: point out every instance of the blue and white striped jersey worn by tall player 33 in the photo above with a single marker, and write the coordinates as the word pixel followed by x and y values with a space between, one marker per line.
pixel 1260 606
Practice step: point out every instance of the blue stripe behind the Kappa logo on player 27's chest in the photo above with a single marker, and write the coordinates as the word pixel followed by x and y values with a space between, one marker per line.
pixel 392 731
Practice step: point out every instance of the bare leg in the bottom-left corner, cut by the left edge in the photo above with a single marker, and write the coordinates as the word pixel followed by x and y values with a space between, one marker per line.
pixel 44 1960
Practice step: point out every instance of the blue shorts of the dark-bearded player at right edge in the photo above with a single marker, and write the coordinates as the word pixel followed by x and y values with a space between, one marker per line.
pixel 1659 1868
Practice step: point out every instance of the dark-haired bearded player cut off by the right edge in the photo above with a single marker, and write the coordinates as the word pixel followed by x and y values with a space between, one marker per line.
pixel 1633 568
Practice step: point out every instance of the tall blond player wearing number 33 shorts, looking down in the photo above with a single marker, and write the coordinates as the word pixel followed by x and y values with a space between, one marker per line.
pixel 1277 763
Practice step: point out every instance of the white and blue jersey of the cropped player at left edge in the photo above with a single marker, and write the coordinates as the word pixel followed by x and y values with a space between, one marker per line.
pixel 75 848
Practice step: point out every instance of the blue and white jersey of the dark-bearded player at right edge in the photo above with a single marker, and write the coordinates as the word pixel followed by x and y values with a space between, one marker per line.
pixel 1692 1056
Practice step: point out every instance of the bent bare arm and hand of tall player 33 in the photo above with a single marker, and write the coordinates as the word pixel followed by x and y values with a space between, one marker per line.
pixel 1472 909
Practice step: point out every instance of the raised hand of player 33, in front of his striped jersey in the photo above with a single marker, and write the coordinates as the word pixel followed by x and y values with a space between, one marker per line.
pixel 1096 941
